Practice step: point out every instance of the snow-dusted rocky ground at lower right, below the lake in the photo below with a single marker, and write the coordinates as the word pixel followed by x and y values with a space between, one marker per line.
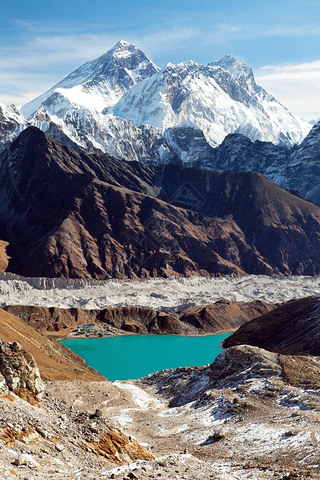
pixel 202 422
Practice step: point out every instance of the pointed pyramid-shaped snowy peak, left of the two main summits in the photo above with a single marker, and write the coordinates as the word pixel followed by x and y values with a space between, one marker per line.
pixel 98 84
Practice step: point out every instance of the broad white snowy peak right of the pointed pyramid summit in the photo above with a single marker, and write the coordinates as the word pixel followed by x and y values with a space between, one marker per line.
pixel 218 99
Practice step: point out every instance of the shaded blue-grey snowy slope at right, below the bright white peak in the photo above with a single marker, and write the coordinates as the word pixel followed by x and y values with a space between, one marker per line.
pixel 296 169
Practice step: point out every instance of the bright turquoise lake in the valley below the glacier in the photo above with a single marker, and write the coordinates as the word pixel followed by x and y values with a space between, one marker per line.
pixel 134 356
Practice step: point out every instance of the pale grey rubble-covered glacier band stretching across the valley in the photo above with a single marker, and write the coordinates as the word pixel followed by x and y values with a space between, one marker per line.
pixel 161 294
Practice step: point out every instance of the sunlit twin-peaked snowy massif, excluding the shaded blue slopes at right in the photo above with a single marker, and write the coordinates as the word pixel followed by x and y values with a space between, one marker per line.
pixel 123 104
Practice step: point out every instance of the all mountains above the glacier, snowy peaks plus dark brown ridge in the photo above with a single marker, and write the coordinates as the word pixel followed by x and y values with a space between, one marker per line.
pixel 126 170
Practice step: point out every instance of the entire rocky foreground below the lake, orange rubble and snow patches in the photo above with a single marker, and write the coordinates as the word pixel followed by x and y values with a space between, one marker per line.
pixel 186 423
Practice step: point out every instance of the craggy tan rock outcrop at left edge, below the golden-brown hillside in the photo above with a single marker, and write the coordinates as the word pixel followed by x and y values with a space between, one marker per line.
pixel 19 372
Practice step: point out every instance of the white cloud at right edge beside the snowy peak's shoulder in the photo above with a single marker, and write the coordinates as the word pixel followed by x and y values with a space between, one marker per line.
pixel 297 86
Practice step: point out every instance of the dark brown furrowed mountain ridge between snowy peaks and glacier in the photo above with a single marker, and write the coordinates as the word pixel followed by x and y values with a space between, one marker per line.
pixel 89 215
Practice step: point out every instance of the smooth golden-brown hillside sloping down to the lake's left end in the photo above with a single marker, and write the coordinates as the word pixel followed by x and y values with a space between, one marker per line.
pixel 55 361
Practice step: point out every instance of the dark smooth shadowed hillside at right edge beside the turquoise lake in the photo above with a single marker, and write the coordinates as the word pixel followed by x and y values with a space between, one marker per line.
pixel 292 328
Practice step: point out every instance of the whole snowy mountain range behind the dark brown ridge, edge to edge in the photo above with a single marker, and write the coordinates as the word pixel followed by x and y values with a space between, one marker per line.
pixel 212 116
